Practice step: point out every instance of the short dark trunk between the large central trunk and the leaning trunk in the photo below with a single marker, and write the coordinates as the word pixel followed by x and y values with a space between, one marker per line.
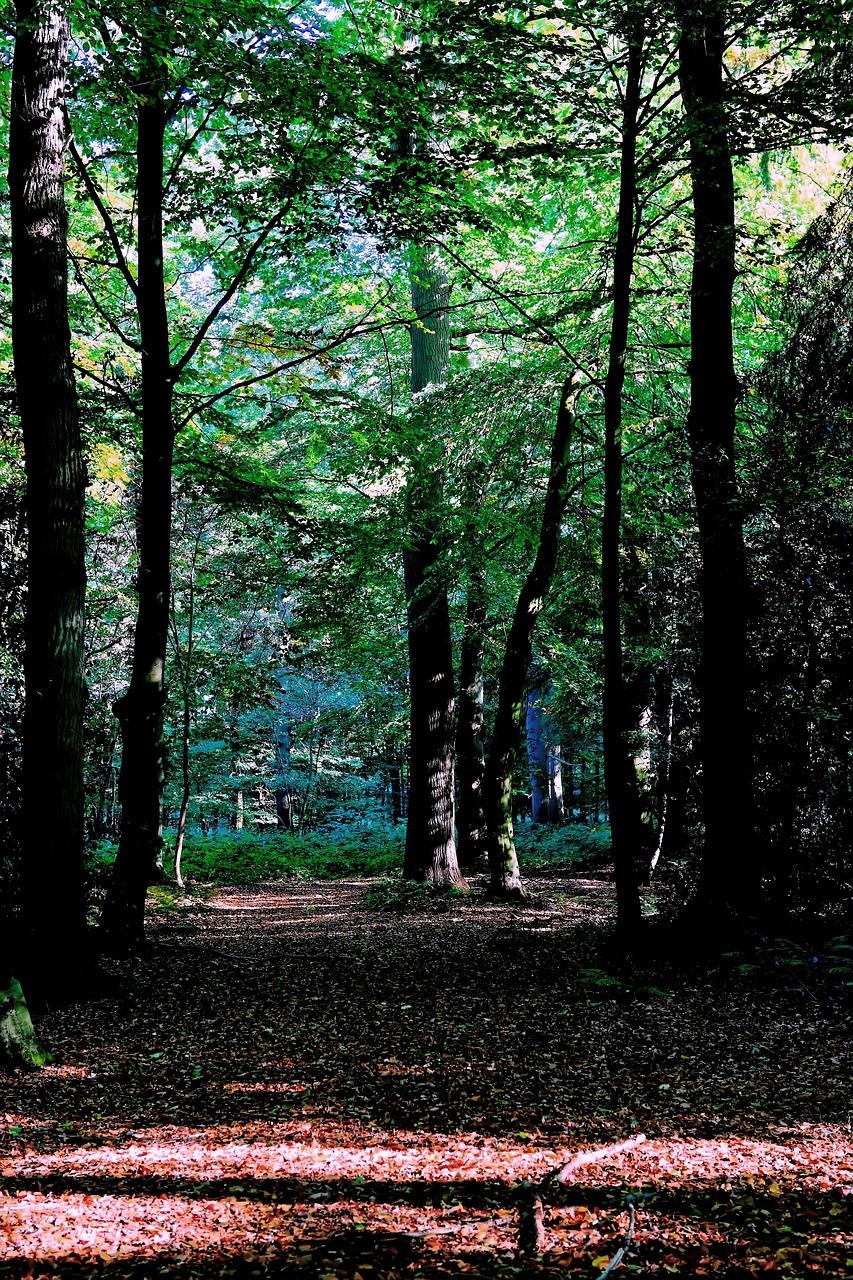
pixel 471 755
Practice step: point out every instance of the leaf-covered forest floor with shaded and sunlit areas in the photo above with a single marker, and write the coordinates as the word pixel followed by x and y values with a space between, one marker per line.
pixel 290 1084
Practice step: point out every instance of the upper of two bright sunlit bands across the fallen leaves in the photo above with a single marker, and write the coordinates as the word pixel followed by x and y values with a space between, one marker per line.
pixel 820 1164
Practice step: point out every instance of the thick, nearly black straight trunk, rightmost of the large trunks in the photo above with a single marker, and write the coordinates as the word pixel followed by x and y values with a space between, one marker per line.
pixel 729 874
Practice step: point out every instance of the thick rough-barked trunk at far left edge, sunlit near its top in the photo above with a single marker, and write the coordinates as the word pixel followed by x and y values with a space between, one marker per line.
pixel 53 890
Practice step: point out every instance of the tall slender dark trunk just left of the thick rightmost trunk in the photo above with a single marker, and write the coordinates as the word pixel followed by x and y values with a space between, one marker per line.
pixel 621 781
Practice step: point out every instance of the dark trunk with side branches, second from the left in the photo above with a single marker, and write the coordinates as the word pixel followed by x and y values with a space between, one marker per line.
pixel 142 710
